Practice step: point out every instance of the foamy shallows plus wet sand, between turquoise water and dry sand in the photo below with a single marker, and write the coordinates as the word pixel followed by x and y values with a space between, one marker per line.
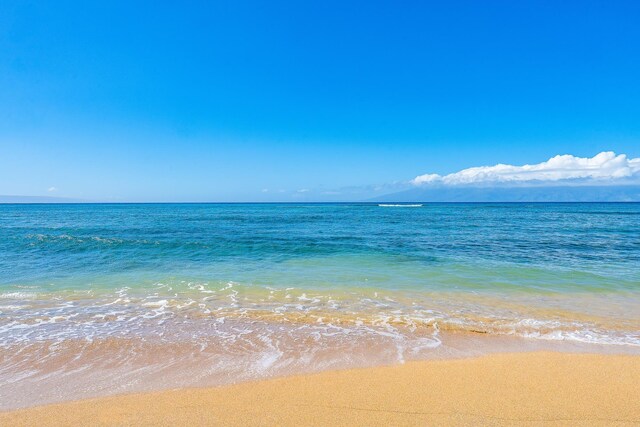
pixel 75 343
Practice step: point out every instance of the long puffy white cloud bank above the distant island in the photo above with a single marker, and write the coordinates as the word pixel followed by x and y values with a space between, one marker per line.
pixel 604 168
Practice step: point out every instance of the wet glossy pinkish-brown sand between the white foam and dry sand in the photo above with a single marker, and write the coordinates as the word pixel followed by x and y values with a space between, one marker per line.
pixel 174 366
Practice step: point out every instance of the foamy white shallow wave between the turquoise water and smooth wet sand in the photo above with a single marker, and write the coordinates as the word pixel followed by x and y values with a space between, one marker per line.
pixel 130 311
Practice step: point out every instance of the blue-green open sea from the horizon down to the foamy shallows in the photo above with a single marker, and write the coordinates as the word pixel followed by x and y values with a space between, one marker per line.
pixel 67 244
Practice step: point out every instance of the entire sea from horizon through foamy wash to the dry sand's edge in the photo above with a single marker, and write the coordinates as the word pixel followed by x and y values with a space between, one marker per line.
pixel 228 291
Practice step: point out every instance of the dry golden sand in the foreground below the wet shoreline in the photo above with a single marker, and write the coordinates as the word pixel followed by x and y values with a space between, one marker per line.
pixel 506 389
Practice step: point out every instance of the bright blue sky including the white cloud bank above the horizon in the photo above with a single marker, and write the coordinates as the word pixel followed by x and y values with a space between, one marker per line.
pixel 266 101
